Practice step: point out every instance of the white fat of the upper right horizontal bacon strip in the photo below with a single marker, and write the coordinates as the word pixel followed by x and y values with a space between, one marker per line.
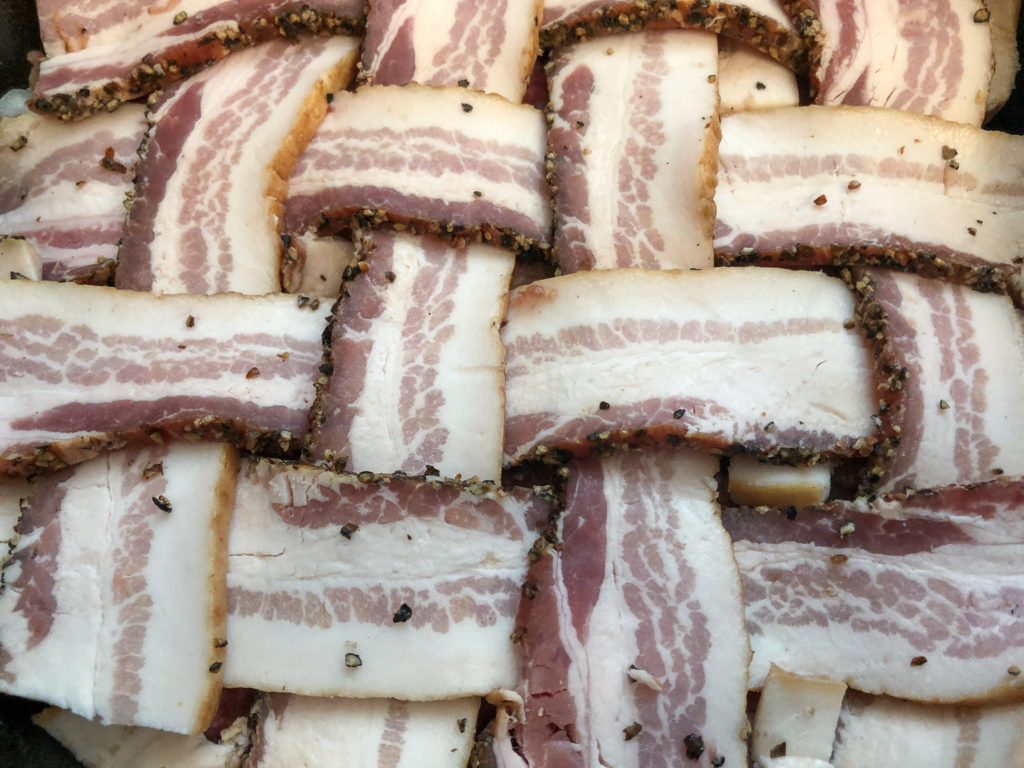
pixel 930 204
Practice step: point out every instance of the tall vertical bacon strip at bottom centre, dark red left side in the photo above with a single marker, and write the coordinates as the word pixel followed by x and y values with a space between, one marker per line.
pixel 632 639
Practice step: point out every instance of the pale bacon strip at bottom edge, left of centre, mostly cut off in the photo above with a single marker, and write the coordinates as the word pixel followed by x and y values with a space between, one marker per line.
pixel 363 734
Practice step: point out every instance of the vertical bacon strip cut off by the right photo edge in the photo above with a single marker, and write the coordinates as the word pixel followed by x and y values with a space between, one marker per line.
pixel 962 414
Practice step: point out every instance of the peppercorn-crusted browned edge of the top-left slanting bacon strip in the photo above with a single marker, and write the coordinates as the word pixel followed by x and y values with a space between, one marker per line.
pixel 186 60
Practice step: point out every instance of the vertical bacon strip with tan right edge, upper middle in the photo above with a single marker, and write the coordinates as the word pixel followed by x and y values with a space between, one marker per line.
pixel 633 139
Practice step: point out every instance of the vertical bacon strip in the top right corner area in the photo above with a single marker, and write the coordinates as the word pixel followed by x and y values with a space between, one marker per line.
pixel 930 60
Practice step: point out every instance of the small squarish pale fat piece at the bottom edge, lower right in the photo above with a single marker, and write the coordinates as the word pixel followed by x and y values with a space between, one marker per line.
pixel 800 712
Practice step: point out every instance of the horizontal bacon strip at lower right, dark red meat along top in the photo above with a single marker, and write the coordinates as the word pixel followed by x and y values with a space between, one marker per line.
pixel 920 600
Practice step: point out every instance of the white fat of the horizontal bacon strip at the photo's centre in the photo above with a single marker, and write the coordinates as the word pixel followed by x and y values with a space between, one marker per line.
pixel 816 380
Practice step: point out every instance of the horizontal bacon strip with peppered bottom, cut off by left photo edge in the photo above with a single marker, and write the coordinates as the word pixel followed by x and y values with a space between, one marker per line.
pixel 88 368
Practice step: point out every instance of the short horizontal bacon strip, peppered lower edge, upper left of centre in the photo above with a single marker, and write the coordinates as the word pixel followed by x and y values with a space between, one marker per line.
pixel 448 160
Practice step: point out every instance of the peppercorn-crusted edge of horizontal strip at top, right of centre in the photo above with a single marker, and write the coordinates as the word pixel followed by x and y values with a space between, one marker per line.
pixel 724 19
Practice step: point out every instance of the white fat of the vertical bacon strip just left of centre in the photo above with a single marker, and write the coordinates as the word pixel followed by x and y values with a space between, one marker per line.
pixel 471 369
